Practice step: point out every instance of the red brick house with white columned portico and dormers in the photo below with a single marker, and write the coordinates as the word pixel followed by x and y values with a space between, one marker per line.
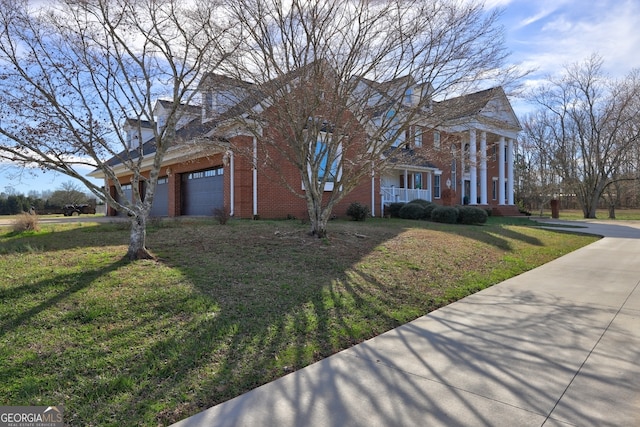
pixel 466 159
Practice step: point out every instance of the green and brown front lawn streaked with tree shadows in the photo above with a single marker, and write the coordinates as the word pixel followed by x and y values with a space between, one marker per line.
pixel 227 307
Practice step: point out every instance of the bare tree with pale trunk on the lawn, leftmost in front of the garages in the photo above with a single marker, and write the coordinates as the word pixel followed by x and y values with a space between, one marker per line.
pixel 74 70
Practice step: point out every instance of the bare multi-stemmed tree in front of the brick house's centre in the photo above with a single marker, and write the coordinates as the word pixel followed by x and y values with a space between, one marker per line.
pixel 332 86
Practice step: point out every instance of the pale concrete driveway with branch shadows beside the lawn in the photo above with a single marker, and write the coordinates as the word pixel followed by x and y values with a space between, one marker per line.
pixel 556 346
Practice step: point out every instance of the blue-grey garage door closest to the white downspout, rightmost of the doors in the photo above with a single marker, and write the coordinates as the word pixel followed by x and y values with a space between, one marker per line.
pixel 202 191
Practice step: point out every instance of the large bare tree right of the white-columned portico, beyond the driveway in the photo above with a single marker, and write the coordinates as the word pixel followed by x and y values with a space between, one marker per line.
pixel 591 125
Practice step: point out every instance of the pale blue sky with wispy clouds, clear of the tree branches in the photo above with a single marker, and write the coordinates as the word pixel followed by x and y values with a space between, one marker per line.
pixel 545 35
